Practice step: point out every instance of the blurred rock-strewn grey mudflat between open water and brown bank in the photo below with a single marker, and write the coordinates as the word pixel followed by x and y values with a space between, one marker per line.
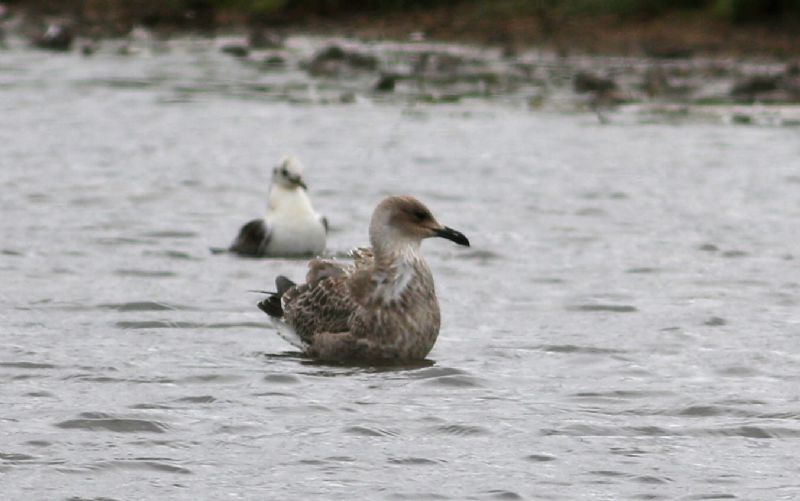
pixel 415 68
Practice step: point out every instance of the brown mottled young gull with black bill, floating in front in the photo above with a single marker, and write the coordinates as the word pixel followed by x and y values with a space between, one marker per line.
pixel 380 308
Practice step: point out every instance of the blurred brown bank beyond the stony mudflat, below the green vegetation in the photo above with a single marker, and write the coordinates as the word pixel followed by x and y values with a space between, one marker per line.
pixel 679 34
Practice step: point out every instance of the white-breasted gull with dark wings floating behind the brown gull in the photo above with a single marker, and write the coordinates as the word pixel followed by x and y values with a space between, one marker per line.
pixel 291 227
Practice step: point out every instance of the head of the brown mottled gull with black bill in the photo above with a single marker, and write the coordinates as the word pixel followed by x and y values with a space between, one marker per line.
pixel 400 221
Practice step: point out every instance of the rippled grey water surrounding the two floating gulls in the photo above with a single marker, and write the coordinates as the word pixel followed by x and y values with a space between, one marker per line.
pixel 624 327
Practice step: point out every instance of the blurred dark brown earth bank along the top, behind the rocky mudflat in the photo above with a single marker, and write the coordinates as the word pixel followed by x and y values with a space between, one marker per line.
pixel 606 28
